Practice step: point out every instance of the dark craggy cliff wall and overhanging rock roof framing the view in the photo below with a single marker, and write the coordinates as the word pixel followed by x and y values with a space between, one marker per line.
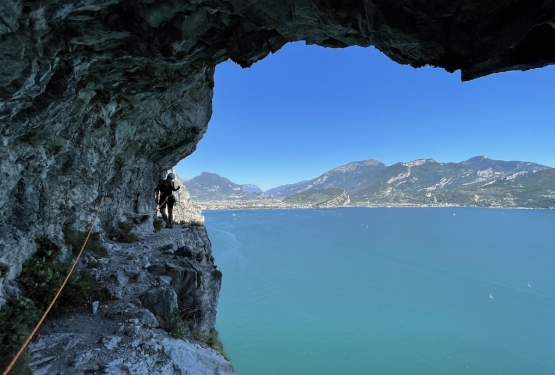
pixel 100 96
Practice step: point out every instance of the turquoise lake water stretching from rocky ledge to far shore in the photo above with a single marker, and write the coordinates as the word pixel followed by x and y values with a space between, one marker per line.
pixel 386 291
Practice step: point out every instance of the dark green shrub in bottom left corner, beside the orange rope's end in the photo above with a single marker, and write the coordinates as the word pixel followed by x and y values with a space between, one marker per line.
pixel 17 318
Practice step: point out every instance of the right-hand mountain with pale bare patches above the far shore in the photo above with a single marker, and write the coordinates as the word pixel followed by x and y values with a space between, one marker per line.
pixel 426 181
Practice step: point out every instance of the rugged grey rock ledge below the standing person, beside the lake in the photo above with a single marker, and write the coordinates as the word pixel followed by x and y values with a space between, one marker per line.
pixel 163 287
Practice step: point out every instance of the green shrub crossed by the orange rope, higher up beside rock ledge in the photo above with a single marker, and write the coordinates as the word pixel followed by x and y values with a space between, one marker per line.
pixel 42 275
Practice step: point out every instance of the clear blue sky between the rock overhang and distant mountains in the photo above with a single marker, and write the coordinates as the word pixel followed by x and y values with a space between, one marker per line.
pixel 307 109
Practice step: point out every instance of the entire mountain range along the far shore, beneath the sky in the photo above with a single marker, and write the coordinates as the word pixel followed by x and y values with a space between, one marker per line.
pixel 477 181
